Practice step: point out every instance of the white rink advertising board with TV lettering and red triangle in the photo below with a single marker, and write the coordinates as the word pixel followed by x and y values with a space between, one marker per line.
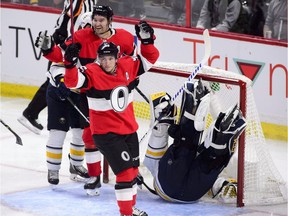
pixel 264 63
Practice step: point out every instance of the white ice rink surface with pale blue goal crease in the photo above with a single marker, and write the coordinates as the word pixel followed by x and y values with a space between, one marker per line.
pixel 26 192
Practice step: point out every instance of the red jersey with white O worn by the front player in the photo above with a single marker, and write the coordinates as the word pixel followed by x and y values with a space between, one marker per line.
pixel 110 97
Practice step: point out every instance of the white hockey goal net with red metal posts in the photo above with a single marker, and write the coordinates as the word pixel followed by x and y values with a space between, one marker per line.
pixel 259 181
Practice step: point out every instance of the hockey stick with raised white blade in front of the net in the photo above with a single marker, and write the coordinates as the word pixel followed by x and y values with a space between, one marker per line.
pixel 207 52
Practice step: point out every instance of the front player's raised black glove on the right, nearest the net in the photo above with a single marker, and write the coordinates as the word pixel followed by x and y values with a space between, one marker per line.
pixel 145 32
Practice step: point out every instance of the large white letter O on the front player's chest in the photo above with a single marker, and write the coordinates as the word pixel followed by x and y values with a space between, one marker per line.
pixel 119 98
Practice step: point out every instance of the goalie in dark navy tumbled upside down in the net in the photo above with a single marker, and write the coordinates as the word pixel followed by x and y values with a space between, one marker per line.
pixel 186 170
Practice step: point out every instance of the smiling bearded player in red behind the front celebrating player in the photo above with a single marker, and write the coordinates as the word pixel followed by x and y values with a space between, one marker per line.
pixel 90 39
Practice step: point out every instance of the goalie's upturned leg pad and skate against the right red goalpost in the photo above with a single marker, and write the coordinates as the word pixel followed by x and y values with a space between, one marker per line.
pixel 223 134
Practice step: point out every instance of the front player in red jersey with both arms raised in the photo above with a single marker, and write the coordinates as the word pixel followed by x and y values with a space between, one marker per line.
pixel 109 84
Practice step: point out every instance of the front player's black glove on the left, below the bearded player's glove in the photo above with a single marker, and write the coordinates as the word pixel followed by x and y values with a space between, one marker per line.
pixel 71 55
